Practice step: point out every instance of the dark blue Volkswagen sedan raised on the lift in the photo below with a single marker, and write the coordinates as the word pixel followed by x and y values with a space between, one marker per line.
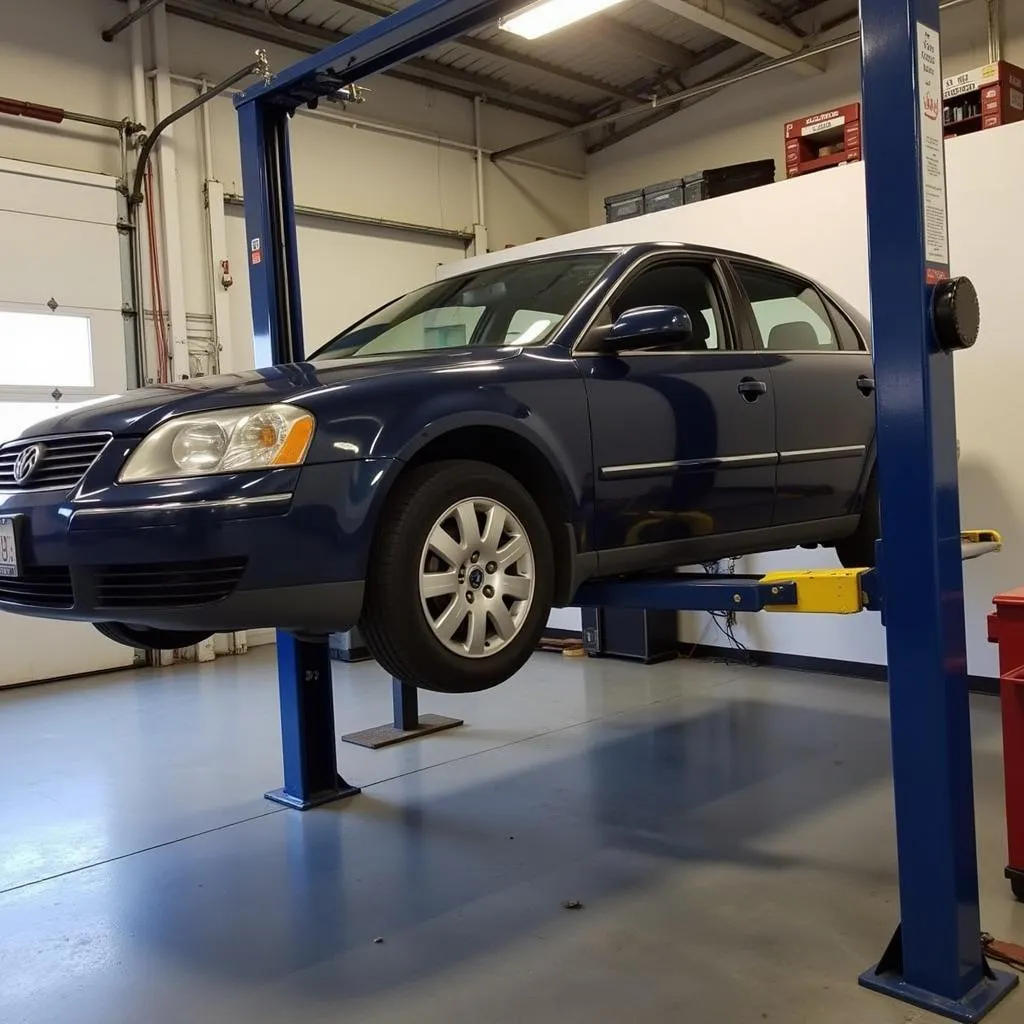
pixel 451 467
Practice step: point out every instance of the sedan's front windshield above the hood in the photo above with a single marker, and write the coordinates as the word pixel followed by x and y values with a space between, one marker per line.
pixel 510 305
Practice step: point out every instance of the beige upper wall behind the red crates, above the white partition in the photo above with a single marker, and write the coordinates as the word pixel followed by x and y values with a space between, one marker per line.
pixel 746 122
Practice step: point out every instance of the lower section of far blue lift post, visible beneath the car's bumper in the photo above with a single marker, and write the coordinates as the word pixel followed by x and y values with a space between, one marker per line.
pixel 308 726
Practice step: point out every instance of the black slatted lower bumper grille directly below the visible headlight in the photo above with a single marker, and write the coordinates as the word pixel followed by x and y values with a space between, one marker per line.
pixel 168 585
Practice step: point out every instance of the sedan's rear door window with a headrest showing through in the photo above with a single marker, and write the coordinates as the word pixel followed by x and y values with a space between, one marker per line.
pixel 790 314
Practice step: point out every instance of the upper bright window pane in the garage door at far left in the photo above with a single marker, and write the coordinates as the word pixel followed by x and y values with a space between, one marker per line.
pixel 46 351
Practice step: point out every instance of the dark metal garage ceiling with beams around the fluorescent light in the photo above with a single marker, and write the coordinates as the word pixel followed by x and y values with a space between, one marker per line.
pixel 639 51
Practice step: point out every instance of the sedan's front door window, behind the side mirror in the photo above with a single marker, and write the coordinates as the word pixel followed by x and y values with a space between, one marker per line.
pixel 685 285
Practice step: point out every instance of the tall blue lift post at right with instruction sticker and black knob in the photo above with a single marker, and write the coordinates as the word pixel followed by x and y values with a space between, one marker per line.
pixel 935 960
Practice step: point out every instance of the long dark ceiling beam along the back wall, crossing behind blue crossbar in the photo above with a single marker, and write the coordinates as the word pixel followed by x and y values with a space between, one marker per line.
pixel 311 39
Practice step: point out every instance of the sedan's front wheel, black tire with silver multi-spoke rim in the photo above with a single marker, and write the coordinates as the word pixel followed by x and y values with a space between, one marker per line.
pixel 461 579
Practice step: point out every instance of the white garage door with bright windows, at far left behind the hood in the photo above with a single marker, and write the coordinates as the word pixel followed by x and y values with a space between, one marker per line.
pixel 62 345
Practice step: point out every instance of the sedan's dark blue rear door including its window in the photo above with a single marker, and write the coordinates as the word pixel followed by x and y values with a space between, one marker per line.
pixel 823 380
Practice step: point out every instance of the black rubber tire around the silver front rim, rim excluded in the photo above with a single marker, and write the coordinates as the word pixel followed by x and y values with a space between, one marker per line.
pixel 395 624
